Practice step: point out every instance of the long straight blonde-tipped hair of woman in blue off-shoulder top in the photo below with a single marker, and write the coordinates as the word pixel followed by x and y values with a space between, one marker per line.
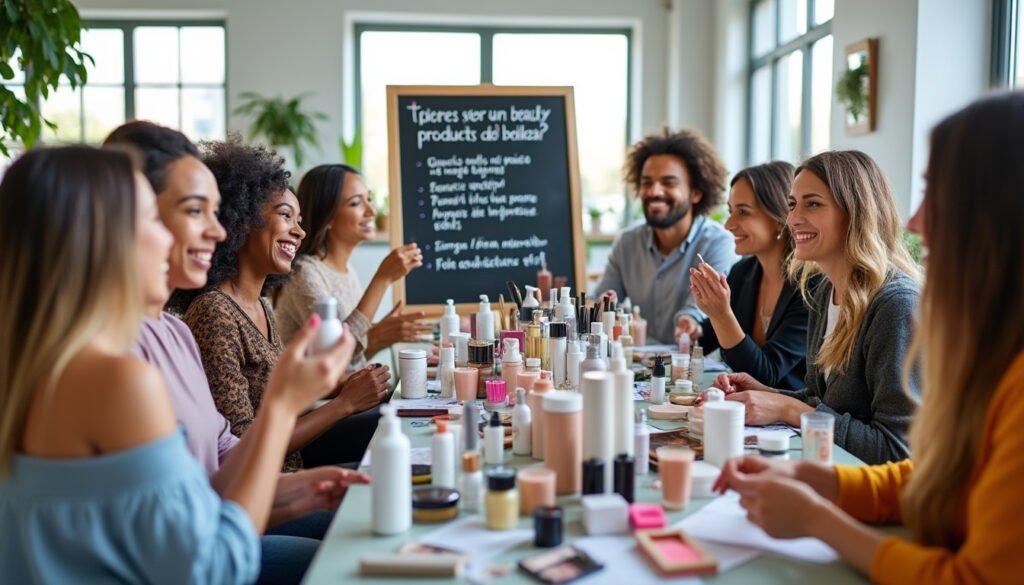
pixel 67 271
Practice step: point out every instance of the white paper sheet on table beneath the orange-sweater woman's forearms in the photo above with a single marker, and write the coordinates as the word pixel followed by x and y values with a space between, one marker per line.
pixel 726 521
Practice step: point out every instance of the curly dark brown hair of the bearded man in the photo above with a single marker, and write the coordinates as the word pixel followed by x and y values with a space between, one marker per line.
pixel 706 170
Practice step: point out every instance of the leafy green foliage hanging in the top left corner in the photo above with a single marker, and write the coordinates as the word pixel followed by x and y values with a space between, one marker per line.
pixel 45 36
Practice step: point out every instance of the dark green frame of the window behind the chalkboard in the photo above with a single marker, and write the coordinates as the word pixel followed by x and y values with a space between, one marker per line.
pixel 487 33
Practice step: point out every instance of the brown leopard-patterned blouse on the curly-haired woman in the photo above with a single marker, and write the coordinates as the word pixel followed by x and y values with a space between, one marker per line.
pixel 237 357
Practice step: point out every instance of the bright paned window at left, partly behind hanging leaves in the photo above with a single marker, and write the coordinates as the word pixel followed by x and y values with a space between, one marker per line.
pixel 172 73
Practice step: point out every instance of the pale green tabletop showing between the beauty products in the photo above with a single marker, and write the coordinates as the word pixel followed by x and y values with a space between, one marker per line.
pixel 351 535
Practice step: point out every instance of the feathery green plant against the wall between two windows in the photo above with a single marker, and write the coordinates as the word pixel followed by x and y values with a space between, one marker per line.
pixel 282 122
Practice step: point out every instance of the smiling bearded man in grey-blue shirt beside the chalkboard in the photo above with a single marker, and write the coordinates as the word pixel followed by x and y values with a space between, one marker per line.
pixel 679 180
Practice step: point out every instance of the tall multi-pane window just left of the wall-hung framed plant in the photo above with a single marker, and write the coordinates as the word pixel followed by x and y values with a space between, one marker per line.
pixel 791 79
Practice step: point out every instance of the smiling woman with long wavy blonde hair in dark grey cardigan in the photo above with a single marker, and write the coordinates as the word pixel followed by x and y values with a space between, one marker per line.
pixel 861 317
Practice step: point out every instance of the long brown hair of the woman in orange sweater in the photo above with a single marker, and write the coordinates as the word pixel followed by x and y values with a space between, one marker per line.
pixel 971 307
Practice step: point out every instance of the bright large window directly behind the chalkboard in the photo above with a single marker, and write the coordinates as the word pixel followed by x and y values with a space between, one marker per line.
pixel 595 63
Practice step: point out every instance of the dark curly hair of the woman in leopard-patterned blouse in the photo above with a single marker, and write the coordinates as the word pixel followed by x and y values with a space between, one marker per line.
pixel 248 177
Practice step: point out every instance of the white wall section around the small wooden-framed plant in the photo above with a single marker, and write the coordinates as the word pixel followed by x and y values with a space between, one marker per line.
pixel 933 59
